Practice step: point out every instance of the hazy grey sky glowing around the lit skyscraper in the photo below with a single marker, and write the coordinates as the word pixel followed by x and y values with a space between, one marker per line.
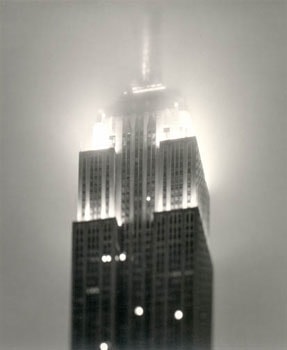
pixel 60 62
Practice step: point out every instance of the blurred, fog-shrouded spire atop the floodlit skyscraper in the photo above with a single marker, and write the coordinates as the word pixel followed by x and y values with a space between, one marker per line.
pixel 150 46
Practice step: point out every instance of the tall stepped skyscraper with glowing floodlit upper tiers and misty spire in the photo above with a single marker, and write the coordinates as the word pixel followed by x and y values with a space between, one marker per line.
pixel 142 273
